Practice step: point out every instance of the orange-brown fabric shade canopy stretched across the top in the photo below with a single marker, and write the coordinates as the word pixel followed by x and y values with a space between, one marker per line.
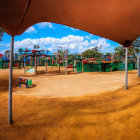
pixel 117 20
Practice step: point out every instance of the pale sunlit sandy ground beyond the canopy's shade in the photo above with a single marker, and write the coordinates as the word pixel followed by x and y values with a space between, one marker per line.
pixel 55 84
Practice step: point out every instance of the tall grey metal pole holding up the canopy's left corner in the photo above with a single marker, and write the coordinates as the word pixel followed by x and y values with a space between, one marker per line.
pixel 10 121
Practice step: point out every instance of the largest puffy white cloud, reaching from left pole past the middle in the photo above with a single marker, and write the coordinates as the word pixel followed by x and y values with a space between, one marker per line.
pixel 70 42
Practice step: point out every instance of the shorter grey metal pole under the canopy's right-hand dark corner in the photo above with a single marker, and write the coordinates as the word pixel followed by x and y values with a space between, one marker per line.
pixel 126 68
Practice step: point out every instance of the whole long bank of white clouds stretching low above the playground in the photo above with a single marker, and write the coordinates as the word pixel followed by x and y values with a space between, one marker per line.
pixel 72 43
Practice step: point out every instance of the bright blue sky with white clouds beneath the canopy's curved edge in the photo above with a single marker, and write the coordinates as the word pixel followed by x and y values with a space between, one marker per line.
pixel 51 36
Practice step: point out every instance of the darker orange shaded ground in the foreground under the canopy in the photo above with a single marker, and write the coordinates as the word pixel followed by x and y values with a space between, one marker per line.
pixel 113 115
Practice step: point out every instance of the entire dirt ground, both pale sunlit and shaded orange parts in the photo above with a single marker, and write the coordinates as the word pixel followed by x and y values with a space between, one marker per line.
pixel 93 106
